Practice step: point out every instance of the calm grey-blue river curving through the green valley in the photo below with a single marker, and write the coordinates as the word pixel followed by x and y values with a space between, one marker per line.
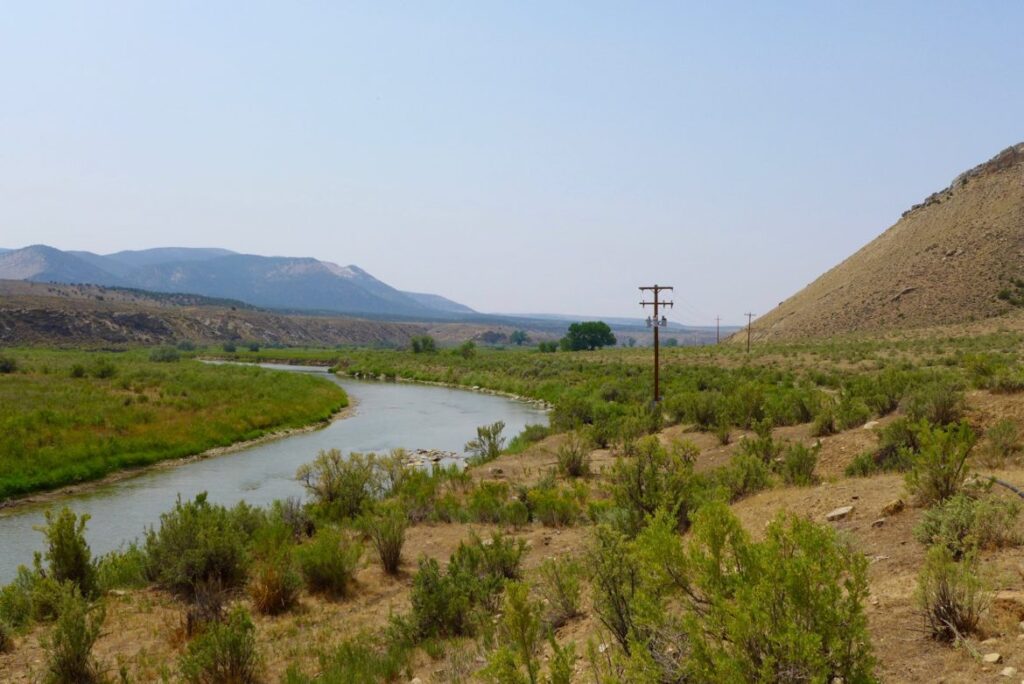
pixel 388 416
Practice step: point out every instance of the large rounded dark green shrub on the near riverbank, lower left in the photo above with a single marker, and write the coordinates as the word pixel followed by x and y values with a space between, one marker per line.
pixel 197 543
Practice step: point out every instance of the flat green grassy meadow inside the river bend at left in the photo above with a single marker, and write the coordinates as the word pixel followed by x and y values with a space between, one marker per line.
pixel 127 411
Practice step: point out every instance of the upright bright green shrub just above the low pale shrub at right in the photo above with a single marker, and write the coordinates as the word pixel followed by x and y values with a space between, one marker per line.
pixel 940 468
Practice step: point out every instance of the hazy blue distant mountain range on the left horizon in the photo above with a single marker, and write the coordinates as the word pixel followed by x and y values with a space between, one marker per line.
pixel 296 284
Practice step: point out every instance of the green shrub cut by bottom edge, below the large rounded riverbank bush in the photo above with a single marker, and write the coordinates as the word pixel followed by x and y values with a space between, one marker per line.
pixel 225 653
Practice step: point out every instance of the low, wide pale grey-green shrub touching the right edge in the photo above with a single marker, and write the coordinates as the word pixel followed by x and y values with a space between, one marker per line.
pixel 964 524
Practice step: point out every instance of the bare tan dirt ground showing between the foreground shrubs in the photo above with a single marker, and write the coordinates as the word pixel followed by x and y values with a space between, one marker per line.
pixel 143 628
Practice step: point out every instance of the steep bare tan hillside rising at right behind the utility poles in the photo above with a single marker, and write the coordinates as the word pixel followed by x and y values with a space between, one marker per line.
pixel 955 259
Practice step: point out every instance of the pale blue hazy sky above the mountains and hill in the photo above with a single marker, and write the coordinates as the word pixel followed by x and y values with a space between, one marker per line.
pixel 544 157
